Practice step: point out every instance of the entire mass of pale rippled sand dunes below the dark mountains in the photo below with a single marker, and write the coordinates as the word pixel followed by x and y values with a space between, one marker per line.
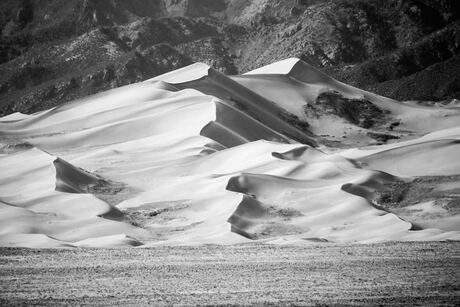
pixel 194 157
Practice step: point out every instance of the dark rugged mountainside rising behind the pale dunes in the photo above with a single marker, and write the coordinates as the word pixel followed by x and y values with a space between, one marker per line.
pixel 54 51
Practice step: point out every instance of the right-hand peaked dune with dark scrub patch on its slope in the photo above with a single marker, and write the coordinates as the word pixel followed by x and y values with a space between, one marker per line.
pixel 296 86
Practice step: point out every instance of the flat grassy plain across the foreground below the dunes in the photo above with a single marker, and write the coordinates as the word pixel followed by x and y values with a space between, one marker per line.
pixel 416 273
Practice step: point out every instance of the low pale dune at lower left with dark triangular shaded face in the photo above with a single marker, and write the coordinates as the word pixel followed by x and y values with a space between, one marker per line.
pixel 52 210
